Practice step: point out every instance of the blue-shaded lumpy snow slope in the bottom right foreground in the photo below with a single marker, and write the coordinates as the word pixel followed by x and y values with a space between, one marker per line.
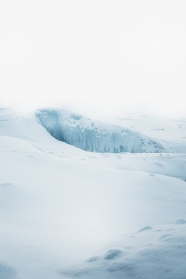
pixel 159 252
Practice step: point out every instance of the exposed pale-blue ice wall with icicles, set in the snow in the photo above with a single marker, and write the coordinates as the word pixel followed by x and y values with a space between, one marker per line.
pixel 94 135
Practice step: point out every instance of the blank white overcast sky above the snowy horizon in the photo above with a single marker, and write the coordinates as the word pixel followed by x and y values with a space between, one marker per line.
pixel 128 52
